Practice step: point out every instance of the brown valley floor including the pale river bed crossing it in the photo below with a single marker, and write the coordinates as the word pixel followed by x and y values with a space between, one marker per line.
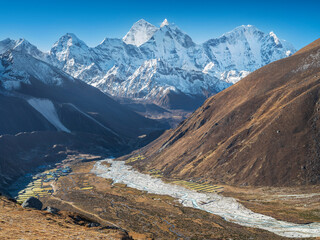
pixel 109 193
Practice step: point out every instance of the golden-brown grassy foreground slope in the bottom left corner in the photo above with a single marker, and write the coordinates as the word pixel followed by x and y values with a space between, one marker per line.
pixel 28 224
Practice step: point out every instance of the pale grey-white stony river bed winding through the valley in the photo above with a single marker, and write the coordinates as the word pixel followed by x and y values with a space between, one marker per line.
pixel 226 207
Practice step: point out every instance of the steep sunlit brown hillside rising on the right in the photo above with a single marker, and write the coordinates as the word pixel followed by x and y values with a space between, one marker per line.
pixel 264 130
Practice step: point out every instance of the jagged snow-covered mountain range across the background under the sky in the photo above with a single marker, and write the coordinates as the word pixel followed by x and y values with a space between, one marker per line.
pixel 150 62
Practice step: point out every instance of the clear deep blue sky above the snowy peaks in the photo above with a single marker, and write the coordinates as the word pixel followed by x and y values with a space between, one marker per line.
pixel 43 22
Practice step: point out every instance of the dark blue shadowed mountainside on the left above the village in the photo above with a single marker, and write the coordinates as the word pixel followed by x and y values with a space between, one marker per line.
pixel 42 107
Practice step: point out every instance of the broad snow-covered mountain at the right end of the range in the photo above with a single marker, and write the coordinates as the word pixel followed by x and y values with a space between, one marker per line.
pixel 246 48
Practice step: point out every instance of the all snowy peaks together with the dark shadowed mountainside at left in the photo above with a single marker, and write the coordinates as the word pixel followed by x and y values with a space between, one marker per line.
pixel 44 104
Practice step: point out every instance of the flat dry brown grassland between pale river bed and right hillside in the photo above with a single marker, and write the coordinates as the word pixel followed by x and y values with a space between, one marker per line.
pixel 298 204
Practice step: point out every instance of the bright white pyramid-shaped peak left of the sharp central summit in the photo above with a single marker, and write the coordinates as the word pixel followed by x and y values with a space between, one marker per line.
pixel 139 33
